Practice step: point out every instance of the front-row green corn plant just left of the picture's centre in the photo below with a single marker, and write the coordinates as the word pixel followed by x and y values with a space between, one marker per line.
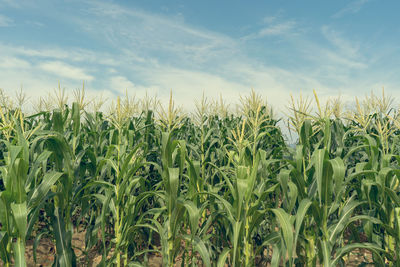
pixel 179 210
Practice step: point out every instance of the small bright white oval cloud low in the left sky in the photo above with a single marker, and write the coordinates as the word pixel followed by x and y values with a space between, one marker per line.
pixel 65 70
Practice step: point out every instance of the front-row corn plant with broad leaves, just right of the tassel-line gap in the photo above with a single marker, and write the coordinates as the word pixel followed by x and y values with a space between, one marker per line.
pixel 322 180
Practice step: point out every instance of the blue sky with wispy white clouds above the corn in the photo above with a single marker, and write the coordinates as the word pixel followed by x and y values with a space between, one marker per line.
pixel 192 47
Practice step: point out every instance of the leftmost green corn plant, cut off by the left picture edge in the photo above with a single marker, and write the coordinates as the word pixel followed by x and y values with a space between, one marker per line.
pixel 26 190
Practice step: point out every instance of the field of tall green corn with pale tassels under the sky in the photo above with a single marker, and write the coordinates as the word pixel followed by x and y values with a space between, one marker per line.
pixel 210 188
